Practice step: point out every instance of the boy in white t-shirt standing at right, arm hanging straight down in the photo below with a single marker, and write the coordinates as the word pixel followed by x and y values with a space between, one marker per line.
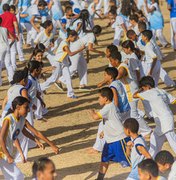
pixel 152 63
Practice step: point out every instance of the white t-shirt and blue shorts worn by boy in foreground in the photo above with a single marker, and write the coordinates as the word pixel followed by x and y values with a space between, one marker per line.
pixel 114 148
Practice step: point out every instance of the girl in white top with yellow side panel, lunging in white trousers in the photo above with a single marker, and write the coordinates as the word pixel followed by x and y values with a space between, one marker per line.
pixel 62 63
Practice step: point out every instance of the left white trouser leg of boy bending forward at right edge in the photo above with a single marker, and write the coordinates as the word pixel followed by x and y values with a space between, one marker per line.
pixel 156 143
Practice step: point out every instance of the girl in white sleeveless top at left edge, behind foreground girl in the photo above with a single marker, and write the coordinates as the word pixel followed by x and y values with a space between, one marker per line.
pixel 19 82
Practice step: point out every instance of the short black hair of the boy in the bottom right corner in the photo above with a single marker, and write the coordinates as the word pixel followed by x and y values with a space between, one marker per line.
pixel 164 157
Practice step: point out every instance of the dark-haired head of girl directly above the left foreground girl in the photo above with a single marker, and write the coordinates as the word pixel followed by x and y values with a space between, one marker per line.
pixel 20 77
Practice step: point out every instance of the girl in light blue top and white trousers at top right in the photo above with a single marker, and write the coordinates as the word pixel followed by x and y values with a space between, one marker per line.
pixel 156 21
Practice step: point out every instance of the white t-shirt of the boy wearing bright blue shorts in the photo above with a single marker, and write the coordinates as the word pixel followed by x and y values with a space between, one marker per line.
pixel 113 128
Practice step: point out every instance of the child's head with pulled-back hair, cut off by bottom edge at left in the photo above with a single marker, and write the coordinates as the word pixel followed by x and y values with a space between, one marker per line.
pixel 44 169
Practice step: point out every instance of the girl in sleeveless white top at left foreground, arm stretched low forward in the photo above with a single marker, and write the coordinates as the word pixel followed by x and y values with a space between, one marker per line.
pixel 15 126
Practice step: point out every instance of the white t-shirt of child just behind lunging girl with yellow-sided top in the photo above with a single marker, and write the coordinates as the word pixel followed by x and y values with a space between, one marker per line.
pixel 43 38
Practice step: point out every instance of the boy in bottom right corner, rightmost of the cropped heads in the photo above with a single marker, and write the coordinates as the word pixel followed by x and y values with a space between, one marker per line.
pixel 165 161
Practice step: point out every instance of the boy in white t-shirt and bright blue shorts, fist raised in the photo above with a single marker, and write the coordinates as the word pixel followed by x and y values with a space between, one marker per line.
pixel 114 148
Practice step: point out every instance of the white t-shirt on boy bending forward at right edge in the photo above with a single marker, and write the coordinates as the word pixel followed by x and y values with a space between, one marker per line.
pixel 163 116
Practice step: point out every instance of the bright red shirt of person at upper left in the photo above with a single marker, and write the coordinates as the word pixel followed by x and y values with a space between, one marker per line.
pixel 7 22
